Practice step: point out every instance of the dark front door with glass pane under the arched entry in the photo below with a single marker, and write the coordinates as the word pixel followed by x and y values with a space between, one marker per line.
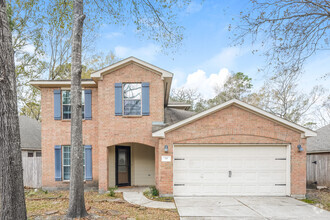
pixel 123 166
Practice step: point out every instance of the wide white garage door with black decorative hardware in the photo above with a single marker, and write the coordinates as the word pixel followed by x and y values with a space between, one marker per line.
pixel 210 170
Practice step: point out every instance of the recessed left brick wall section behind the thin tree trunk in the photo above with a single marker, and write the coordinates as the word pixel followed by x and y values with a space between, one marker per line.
pixel 58 132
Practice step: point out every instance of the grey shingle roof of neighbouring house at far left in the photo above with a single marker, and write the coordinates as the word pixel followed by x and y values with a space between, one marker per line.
pixel 30 131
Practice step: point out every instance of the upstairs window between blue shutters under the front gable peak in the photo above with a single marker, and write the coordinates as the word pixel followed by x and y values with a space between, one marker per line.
pixel 132 98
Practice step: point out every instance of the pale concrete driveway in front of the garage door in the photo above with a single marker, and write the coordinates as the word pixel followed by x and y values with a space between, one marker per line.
pixel 247 208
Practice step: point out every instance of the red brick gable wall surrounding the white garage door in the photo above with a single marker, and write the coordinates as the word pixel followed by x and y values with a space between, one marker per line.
pixel 233 125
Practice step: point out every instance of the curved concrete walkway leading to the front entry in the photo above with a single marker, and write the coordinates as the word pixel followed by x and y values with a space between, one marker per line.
pixel 135 196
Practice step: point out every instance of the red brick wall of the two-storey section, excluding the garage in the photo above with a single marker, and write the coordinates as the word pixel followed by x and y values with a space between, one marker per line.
pixel 105 129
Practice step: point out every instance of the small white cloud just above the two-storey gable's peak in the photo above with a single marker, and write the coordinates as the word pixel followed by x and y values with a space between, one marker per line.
pixel 148 52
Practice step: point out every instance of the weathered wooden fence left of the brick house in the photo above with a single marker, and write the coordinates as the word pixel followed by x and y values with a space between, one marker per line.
pixel 32 171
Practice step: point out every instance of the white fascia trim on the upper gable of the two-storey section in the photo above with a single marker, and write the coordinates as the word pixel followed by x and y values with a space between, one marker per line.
pixel 98 74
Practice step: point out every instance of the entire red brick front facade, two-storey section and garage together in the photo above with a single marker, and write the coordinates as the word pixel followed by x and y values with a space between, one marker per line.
pixel 230 125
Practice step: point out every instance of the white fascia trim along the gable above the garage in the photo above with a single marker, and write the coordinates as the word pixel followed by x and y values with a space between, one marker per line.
pixel 161 133
